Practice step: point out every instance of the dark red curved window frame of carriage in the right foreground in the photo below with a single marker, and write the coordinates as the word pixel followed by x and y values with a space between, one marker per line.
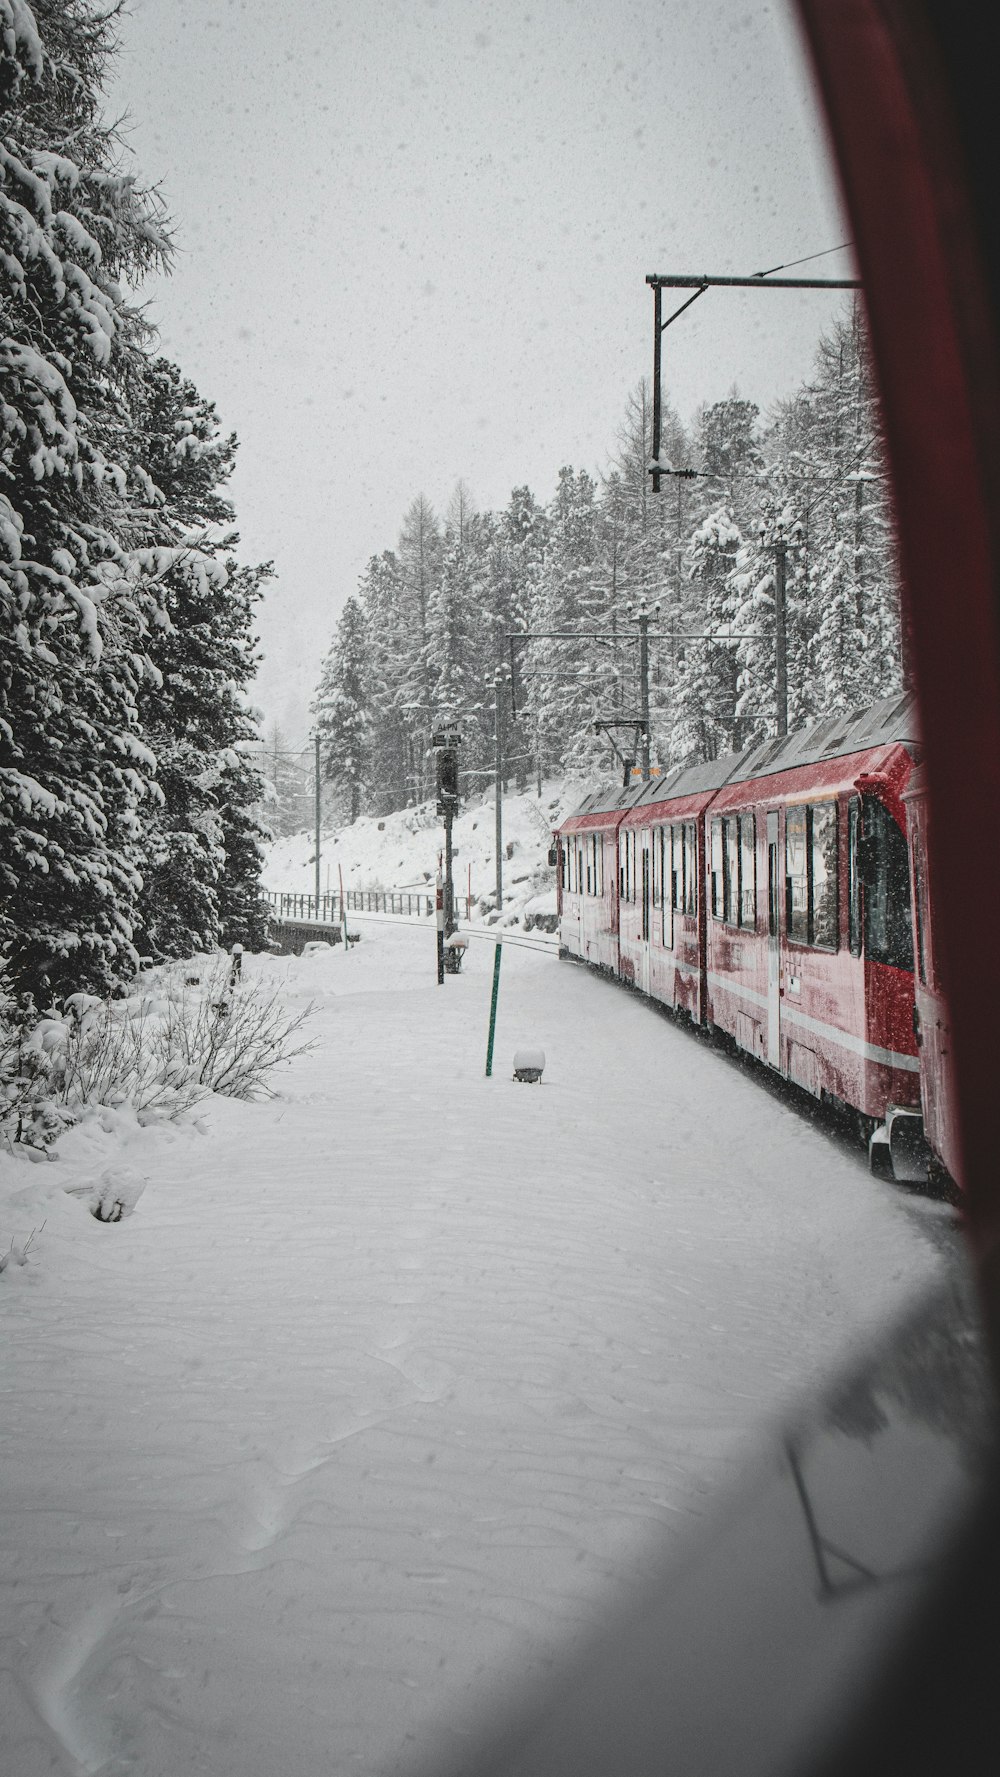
pixel 910 115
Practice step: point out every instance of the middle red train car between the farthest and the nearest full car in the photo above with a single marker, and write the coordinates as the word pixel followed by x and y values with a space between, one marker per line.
pixel 662 875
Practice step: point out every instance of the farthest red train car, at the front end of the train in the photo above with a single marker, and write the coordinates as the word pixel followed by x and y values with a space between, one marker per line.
pixel 587 877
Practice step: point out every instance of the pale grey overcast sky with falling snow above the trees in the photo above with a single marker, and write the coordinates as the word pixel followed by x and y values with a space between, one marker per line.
pixel 413 239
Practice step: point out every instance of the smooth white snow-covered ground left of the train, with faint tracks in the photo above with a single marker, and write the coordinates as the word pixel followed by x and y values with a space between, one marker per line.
pixel 392 1380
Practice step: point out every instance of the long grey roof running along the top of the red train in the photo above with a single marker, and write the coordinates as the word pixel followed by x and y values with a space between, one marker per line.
pixel 855 731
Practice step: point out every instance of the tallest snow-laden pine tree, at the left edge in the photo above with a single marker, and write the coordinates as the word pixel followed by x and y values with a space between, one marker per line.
pixel 75 774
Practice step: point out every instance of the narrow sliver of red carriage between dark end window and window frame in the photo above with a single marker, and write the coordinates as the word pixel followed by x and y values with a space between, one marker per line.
pixel 932 1023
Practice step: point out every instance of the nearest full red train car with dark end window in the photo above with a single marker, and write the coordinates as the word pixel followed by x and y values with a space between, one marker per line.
pixel 809 959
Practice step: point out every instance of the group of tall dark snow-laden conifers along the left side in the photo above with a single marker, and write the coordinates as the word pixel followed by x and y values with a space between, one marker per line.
pixel 127 785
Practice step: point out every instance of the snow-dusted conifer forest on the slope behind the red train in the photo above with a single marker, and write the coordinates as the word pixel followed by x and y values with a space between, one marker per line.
pixel 422 641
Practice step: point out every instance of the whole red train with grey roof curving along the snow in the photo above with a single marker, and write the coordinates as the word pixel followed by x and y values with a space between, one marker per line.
pixel 774 896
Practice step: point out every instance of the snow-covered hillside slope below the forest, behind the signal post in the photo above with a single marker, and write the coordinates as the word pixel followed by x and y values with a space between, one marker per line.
pixel 402 852
